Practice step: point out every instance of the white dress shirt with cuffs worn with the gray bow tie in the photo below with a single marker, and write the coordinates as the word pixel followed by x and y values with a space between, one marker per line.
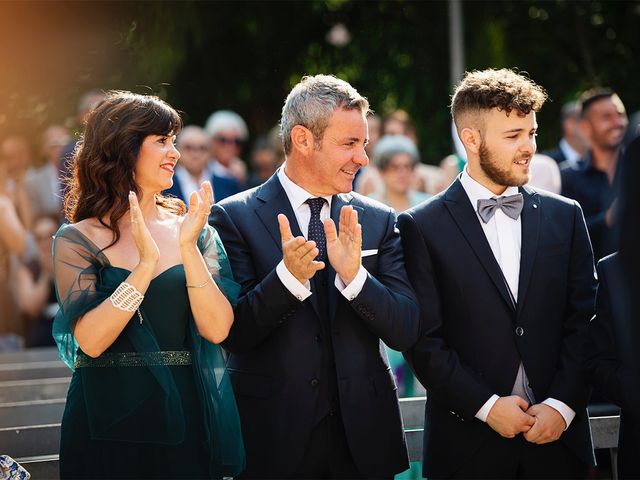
pixel 504 235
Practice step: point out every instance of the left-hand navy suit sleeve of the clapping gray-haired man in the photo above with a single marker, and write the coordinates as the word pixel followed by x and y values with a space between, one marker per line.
pixel 264 303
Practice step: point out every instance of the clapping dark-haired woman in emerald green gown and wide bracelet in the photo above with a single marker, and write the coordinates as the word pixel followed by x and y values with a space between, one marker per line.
pixel 145 296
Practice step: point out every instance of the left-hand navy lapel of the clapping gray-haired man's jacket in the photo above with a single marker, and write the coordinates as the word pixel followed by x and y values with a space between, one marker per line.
pixel 274 201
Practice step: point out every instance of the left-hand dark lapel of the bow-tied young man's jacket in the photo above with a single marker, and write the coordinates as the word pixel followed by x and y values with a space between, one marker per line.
pixel 458 204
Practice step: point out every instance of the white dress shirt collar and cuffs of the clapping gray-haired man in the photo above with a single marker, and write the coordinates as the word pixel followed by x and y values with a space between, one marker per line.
pixel 297 197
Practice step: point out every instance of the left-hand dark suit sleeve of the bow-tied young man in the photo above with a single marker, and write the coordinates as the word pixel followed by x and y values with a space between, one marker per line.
pixel 436 365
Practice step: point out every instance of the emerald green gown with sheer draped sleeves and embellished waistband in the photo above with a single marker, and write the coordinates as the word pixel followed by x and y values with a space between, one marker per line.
pixel 129 414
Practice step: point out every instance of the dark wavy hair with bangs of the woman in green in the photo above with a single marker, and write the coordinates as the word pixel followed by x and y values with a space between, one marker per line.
pixel 104 159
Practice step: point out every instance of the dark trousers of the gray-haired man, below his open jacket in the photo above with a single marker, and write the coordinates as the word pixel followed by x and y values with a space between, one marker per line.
pixel 327 455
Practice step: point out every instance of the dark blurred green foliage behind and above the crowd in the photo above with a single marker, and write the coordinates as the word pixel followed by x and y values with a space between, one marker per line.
pixel 246 55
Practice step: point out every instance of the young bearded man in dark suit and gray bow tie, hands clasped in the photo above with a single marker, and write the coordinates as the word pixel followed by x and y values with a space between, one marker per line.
pixel 505 281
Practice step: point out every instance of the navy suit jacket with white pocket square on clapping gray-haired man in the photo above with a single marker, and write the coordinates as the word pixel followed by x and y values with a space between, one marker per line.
pixel 274 346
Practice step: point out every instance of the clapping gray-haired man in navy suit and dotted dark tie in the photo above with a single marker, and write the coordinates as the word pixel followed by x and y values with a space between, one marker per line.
pixel 312 381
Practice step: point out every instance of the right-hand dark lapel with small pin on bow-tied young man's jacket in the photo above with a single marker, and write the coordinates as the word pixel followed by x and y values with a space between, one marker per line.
pixel 530 222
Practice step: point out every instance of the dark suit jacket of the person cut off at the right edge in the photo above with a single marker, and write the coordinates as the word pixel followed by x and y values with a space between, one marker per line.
pixel 611 364
